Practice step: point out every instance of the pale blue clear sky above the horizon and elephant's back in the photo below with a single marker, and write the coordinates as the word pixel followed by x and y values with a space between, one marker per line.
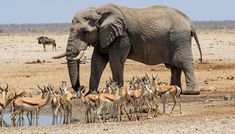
pixel 62 11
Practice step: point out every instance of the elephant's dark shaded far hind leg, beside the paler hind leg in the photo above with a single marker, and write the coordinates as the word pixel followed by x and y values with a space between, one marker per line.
pixel 176 76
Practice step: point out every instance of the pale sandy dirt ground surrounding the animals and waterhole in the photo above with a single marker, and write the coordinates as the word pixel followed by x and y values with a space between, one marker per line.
pixel 24 65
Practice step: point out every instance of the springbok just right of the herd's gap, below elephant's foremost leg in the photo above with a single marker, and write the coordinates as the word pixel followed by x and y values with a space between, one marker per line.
pixel 90 102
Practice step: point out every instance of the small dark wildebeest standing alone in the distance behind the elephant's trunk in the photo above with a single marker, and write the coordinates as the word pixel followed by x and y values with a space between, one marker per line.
pixel 46 41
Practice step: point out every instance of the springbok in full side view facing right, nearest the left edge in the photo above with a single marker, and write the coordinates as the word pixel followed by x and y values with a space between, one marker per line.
pixel 30 104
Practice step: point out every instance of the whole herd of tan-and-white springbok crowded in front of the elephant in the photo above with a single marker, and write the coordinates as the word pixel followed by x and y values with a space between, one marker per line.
pixel 113 102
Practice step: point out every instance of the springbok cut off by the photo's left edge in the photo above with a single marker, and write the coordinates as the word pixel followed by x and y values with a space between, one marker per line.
pixel 3 102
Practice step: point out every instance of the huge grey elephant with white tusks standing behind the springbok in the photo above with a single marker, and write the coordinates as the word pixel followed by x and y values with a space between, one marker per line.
pixel 154 35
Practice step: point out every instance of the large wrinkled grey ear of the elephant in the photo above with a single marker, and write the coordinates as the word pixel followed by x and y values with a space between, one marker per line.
pixel 111 25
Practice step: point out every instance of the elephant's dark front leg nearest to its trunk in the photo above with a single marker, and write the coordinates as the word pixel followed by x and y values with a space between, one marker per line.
pixel 98 64
